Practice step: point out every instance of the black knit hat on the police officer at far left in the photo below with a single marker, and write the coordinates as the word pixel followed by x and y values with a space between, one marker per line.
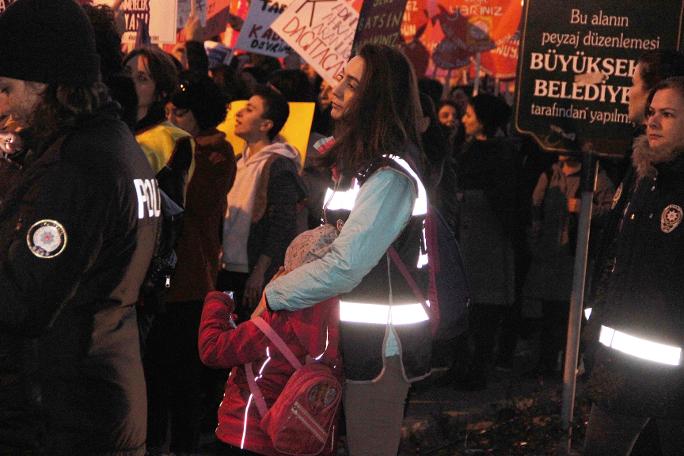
pixel 49 41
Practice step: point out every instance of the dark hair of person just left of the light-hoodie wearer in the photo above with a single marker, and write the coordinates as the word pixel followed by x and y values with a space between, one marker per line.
pixel 202 96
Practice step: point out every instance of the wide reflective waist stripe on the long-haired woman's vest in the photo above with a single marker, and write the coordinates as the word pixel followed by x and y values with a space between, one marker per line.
pixel 382 314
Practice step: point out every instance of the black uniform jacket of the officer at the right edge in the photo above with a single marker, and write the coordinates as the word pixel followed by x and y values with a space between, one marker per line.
pixel 641 293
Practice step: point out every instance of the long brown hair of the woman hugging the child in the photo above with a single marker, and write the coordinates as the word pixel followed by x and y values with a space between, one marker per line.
pixel 383 116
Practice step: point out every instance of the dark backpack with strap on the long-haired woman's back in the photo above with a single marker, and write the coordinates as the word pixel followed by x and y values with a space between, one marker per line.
pixel 448 294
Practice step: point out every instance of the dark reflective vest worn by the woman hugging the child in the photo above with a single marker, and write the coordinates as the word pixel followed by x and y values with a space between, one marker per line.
pixel 384 301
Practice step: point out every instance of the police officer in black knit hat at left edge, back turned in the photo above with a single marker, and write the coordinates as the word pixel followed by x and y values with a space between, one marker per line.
pixel 77 232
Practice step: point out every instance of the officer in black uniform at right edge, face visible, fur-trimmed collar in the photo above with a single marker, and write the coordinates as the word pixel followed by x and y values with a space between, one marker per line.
pixel 638 314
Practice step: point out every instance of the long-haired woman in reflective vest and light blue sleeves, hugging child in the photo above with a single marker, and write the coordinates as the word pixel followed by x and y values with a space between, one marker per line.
pixel 380 204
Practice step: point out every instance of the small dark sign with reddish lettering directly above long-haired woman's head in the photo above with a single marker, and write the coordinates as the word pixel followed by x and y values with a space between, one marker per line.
pixel 380 23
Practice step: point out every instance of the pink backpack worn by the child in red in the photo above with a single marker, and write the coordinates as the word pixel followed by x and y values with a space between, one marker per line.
pixel 302 420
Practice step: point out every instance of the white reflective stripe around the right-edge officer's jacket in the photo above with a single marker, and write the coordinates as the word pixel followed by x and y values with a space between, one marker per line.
pixel 641 348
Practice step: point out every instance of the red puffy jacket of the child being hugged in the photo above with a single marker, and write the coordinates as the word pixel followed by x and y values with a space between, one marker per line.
pixel 312 331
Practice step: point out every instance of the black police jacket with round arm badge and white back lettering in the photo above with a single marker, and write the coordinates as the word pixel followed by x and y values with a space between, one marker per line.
pixel 77 233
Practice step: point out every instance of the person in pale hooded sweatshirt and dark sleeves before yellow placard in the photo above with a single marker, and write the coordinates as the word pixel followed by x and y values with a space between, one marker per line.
pixel 261 217
